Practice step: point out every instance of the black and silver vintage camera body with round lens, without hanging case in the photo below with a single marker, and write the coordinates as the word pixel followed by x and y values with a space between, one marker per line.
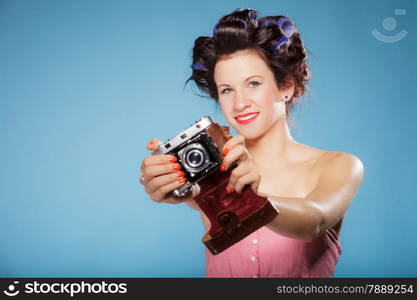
pixel 197 152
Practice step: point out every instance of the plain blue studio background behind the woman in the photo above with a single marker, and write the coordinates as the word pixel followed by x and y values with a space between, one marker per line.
pixel 84 85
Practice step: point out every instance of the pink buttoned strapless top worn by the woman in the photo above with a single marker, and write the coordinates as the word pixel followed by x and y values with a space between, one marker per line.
pixel 267 254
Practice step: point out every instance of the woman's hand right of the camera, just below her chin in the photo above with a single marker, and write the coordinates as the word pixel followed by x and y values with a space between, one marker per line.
pixel 246 172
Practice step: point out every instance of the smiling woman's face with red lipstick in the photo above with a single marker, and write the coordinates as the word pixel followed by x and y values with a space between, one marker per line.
pixel 248 95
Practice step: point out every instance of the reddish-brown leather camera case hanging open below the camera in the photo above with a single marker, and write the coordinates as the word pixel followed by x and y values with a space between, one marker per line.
pixel 232 216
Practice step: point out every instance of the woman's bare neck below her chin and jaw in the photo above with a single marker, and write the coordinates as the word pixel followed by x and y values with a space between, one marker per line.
pixel 272 148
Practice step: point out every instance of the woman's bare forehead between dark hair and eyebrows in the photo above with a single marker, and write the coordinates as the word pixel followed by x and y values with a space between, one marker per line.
pixel 239 66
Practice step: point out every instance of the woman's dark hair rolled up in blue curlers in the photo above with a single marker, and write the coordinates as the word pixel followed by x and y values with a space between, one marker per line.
pixel 274 38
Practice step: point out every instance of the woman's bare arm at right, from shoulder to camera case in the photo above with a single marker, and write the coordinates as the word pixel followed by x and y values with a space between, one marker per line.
pixel 306 218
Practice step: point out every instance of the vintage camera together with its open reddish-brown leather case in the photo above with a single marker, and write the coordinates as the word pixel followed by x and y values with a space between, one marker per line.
pixel 232 216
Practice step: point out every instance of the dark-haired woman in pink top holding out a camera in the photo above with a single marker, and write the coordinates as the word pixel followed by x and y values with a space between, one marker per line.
pixel 256 70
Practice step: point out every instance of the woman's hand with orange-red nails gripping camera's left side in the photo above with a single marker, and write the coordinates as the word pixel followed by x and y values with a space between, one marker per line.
pixel 161 174
